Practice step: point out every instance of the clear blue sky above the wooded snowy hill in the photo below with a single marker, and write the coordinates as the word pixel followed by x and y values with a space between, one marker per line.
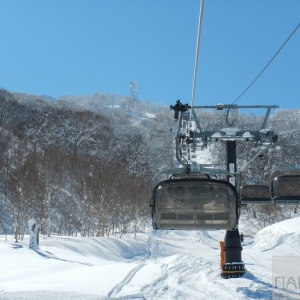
pixel 79 47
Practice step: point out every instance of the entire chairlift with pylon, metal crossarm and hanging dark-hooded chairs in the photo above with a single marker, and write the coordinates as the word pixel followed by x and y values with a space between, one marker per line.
pixel 193 176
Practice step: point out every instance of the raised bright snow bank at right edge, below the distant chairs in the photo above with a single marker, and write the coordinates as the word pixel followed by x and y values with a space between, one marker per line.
pixel 278 234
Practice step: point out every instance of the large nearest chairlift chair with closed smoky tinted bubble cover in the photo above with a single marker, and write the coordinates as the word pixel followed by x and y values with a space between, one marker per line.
pixel 194 203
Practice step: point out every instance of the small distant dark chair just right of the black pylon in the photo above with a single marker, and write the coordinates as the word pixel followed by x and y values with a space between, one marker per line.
pixel 255 194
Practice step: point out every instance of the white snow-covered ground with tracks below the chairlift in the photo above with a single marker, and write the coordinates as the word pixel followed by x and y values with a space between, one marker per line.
pixel 153 265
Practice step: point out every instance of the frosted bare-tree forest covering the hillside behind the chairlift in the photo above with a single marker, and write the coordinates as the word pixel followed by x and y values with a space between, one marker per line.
pixel 82 165
